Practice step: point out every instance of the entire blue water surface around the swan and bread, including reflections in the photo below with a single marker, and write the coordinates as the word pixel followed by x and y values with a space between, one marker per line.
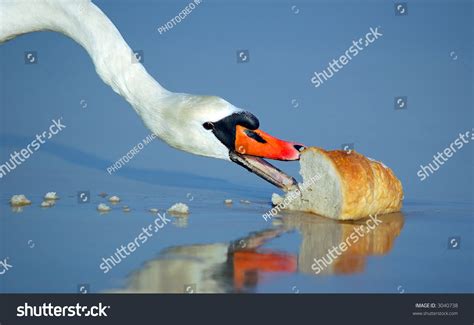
pixel 425 56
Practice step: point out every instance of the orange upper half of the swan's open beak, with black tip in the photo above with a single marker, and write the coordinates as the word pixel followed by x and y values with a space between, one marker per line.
pixel 260 144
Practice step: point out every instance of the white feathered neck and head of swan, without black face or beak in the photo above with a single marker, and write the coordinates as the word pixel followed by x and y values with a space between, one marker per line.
pixel 174 117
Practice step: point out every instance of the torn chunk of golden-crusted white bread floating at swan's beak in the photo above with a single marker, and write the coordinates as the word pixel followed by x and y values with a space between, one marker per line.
pixel 343 185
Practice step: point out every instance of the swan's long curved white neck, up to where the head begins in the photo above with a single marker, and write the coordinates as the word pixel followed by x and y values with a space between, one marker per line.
pixel 85 23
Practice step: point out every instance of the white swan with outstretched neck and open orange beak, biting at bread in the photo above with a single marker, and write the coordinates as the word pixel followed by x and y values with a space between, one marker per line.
pixel 202 125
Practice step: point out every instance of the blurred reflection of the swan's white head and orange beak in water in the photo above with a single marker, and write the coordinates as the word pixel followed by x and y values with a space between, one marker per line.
pixel 219 267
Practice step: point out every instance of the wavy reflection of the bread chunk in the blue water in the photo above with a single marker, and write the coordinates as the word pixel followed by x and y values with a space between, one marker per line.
pixel 321 234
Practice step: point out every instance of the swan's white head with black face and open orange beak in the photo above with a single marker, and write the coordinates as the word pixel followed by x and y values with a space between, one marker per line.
pixel 210 126
